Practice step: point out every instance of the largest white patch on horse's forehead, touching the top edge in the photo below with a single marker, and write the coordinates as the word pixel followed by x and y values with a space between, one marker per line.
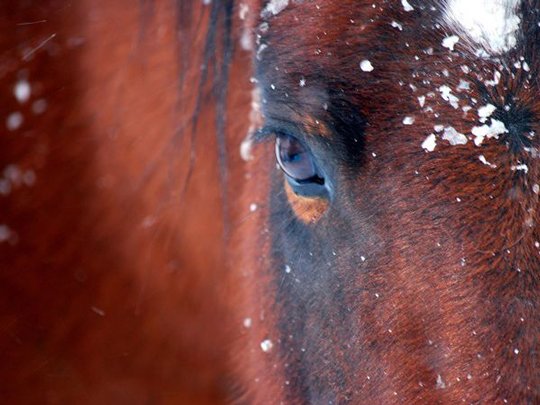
pixel 491 24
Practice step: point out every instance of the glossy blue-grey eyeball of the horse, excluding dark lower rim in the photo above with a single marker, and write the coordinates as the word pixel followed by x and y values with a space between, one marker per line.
pixel 294 158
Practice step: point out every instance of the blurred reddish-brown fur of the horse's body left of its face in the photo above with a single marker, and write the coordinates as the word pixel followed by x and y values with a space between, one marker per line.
pixel 109 283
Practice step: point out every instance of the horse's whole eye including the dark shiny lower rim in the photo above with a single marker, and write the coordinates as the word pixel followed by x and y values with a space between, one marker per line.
pixel 298 164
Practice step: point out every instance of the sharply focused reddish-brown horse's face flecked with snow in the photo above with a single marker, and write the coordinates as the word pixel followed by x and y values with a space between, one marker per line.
pixel 401 233
